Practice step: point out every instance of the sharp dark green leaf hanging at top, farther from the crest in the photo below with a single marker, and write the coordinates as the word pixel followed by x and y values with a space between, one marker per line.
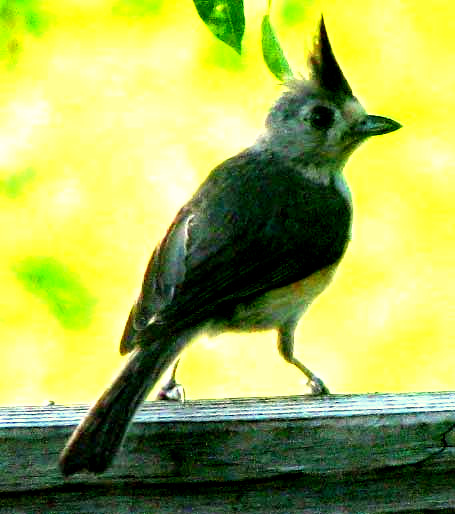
pixel 225 19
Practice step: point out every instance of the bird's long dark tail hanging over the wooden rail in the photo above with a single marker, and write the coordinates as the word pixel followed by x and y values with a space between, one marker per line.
pixel 95 441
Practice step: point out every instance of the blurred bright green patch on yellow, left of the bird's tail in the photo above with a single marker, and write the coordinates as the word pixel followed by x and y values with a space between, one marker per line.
pixel 60 288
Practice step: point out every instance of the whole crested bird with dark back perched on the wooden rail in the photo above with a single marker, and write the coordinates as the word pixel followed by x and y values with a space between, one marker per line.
pixel 259 240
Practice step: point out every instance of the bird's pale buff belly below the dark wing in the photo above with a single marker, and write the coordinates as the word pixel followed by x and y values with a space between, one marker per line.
pixel 275 307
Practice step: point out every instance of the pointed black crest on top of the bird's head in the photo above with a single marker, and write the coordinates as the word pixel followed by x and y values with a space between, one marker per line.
pixel 324 69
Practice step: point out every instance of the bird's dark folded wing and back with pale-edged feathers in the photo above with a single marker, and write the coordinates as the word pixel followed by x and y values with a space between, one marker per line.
pixel 253 226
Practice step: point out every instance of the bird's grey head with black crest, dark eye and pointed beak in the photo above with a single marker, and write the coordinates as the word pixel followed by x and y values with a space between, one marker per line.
pixel 319 120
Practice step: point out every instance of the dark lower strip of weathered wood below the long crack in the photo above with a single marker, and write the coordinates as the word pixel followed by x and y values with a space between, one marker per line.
pixel 394 491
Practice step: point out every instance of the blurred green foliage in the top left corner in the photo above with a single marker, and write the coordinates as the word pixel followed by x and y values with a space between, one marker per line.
pixel 17 18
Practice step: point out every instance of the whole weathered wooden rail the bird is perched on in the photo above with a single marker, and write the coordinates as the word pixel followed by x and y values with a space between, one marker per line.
pixel 310 446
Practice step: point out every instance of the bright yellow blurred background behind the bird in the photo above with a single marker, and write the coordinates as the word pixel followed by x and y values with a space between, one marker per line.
pixel 111 114
